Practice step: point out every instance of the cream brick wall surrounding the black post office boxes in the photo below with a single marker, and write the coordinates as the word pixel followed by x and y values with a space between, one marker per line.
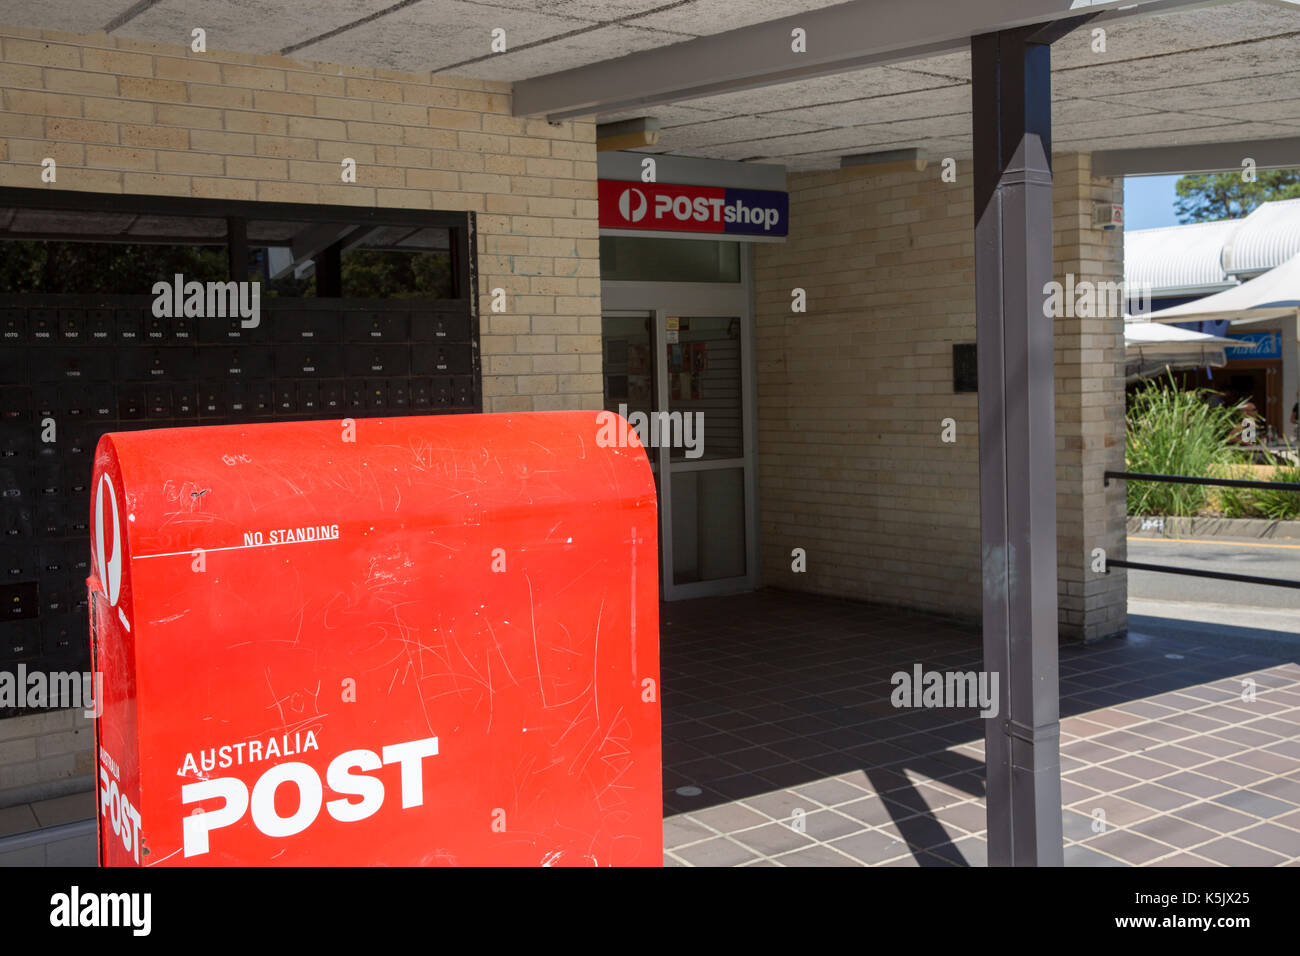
pixel 123 116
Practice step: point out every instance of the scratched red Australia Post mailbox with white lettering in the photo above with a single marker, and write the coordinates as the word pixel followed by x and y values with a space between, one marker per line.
pixel 409 642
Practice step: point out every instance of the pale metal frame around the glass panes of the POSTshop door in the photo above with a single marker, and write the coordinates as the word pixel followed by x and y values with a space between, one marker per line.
pixel 704 300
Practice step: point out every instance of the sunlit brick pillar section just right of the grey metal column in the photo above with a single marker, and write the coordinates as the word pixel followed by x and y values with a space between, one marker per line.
pixel 1090 409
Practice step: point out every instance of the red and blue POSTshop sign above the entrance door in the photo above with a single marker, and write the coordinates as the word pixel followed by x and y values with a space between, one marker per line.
pixel 674 209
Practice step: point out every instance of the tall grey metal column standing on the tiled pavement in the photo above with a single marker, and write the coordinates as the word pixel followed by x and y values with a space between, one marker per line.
pixel 1012 115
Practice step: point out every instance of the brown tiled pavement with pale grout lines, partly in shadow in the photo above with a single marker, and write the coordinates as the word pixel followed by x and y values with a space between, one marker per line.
pixel 782 746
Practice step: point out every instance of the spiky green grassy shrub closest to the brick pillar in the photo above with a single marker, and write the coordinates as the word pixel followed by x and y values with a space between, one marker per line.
pixel 1175 432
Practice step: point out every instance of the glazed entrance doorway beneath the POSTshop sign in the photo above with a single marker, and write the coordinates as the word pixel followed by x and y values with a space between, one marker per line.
pixel 682 356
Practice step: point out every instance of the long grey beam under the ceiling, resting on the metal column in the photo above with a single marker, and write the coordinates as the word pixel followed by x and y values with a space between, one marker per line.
pixel 850 37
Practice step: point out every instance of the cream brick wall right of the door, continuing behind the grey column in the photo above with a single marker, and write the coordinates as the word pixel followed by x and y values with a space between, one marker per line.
pixel 853 395
